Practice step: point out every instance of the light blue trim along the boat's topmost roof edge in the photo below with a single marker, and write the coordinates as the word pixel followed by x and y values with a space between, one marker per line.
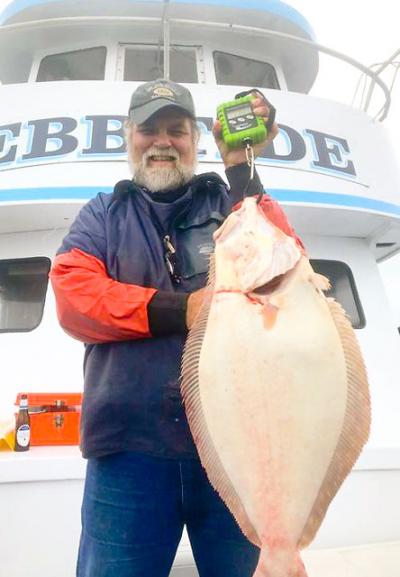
pixel 275 7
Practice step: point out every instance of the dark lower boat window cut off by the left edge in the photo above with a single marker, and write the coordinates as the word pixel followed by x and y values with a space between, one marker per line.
pixel 23 286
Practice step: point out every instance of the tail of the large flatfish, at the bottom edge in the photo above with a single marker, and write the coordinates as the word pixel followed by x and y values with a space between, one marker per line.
pixel 280 563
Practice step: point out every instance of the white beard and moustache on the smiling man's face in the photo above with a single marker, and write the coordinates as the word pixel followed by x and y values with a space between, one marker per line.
pixel 161 179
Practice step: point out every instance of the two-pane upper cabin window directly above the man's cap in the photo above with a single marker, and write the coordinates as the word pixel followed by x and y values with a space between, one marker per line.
pixel 147 63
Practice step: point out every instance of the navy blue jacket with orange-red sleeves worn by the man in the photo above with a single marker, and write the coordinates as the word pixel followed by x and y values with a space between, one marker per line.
pixel 115 292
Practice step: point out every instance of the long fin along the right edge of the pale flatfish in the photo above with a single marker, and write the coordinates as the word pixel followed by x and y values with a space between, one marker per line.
pixel 356 423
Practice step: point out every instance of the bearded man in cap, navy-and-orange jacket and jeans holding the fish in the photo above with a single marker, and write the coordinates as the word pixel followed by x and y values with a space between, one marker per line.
pixel 129 281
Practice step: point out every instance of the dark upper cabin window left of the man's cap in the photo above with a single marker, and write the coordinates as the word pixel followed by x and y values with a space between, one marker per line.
pixel 85 64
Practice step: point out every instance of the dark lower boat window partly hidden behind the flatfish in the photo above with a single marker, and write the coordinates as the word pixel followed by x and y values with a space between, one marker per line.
pixel 343 289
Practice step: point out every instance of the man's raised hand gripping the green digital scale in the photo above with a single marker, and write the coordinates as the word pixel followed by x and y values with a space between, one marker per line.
pixel 238 156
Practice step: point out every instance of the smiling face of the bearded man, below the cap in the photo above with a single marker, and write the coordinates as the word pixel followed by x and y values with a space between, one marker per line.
pixel 163 151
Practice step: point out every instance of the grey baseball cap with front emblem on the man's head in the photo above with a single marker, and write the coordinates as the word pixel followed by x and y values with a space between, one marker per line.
pixel 153 96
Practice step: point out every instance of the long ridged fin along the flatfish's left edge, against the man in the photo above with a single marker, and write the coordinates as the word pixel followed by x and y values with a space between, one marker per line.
pixel 198 426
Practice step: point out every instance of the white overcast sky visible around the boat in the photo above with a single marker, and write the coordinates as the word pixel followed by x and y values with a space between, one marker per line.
pixel 369 33
